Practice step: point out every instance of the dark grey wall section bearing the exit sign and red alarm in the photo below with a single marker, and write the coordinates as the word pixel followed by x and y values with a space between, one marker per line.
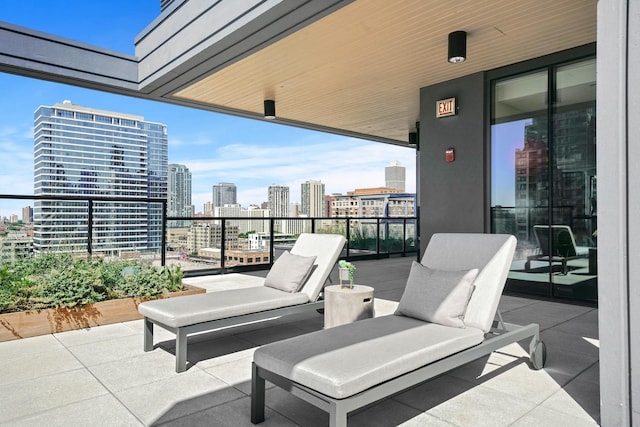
pixel 453 195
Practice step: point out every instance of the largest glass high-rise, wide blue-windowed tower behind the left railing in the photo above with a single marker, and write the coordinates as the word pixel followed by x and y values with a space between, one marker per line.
pixel 84 152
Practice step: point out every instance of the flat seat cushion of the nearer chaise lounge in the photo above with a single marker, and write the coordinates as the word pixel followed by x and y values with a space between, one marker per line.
pixel 340 362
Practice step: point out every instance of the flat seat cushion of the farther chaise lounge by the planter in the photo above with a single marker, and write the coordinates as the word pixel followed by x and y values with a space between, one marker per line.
pixel 192 309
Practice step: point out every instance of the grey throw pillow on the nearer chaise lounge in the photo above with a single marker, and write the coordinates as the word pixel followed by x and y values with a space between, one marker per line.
pixel 437 296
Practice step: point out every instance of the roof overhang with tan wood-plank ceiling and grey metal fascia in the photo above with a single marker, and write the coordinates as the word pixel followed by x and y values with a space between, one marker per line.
pixel 342 66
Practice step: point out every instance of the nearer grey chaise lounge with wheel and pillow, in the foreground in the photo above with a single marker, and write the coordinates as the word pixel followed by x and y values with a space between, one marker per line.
pixel 350 366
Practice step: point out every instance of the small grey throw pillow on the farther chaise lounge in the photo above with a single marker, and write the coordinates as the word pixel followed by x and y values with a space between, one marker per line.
pixel 289 272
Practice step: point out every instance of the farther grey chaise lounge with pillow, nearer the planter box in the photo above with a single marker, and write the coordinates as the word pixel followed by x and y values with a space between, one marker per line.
pixel 293 285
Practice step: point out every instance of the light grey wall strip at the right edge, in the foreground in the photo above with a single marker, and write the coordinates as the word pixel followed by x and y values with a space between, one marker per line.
pixel 618 124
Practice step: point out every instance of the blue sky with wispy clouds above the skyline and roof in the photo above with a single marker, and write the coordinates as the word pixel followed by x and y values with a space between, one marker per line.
pixel 215 147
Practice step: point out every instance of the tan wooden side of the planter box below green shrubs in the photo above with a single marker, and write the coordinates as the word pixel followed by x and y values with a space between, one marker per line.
pixel 25 324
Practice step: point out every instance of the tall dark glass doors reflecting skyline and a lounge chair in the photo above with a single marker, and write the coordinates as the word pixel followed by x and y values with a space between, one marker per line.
pixel 543 178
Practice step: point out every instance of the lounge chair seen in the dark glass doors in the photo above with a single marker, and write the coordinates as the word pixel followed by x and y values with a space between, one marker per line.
pixel 562 249
